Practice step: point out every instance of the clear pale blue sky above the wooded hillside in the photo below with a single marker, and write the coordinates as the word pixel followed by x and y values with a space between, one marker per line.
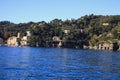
pixel 21 11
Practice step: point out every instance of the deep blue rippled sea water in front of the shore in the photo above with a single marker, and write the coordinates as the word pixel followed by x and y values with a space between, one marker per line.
pixel 24 63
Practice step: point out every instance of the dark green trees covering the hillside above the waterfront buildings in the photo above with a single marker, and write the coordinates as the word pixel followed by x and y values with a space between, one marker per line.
pixel 87 30
